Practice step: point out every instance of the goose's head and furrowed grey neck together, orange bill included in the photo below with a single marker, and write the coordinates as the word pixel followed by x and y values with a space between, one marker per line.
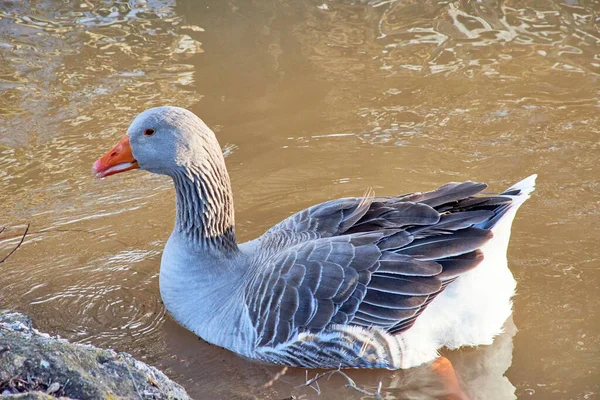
pixel 174 141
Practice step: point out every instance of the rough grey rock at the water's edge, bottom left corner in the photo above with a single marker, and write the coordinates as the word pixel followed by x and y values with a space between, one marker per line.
pixel 35 365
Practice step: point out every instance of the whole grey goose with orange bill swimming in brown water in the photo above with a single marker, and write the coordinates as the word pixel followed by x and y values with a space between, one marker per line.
pixel 364 282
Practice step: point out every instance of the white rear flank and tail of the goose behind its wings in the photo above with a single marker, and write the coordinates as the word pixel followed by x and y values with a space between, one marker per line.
pixel 472 309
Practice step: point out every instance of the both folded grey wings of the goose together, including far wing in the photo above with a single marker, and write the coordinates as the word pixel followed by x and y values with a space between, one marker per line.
pixel 369 261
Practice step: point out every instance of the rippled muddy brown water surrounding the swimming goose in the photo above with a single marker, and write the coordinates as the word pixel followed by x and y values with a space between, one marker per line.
pixel 311 101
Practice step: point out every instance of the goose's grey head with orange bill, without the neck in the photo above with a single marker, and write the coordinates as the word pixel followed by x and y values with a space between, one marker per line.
pixel 163 140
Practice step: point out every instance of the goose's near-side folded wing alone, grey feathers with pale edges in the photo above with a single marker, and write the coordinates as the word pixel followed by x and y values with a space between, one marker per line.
pixel 384 278
